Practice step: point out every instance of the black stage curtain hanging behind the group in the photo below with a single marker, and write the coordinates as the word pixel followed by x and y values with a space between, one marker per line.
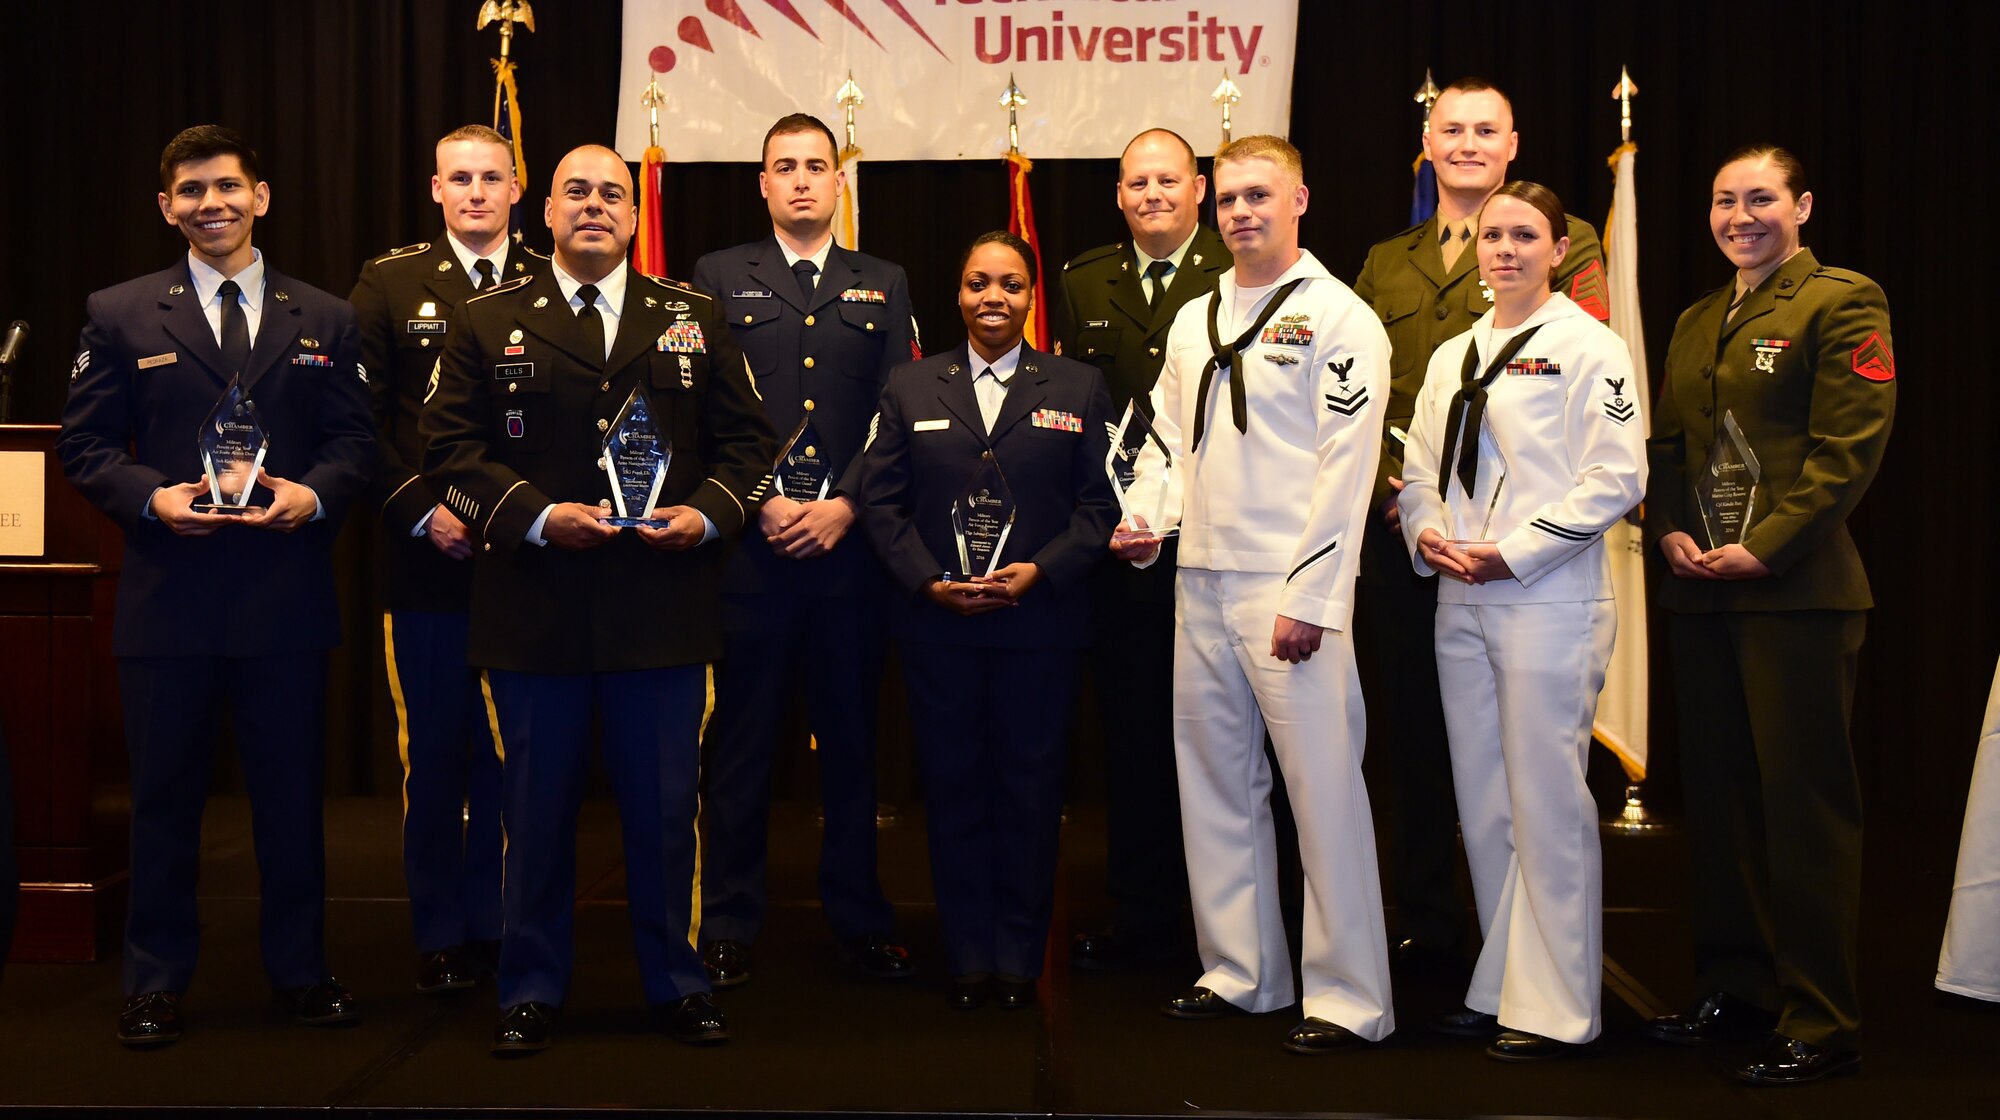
pixel 345 101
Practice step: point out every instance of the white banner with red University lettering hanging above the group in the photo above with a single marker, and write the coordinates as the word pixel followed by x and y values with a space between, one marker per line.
pixel 1095 71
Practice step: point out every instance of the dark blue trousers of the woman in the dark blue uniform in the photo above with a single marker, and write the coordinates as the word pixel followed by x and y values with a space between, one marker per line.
pixel 993 733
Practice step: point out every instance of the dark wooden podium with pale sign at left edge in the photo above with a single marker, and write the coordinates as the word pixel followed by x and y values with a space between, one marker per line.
pixel 59 699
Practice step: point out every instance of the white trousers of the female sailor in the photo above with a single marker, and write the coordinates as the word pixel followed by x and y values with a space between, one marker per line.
pixel 1521 689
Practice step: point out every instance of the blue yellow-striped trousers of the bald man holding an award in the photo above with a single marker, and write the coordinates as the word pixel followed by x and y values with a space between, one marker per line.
pixel 649 723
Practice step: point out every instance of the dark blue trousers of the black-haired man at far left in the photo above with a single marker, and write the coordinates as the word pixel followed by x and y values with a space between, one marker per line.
pixel 171 713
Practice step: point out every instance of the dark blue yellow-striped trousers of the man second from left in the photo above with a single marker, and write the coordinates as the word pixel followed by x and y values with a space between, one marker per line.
pixel 451 781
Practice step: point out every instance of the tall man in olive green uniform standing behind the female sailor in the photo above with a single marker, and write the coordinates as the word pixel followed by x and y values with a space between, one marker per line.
pixel 1427 289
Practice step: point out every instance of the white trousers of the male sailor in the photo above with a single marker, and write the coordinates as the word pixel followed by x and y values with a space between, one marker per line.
pixel 1227 691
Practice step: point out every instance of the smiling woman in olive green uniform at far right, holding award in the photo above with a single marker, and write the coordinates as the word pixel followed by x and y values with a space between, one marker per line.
pixel 1767 631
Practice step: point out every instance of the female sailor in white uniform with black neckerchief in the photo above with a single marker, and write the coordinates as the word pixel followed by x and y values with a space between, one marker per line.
pixel 1527 447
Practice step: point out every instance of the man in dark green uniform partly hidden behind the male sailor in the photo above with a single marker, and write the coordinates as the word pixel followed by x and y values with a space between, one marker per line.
pixel 1121 299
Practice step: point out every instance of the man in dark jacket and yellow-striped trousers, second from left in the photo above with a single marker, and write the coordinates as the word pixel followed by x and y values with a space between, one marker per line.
pixel 403 309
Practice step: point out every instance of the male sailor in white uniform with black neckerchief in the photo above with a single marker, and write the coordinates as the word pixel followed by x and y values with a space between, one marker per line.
pixel 1271 407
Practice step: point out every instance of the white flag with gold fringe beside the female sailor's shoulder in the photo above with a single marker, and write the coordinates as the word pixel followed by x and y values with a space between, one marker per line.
pixel 1623 709
